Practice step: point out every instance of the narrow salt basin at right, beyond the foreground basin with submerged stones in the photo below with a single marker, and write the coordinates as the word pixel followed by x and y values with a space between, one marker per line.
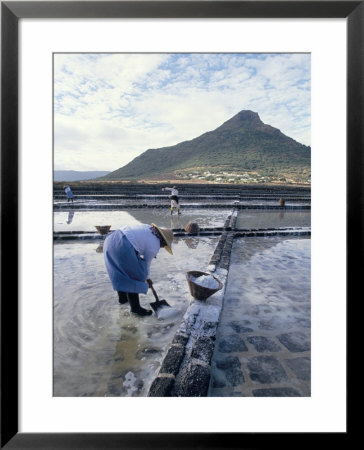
pixel 250 218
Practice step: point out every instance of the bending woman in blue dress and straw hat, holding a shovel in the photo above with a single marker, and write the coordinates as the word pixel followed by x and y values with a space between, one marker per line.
pixel 128 254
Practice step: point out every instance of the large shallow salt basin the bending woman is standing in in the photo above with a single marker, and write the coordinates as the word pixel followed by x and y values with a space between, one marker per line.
pixel 100 349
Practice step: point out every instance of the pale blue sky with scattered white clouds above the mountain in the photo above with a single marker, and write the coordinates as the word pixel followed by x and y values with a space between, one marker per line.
pixel 110 108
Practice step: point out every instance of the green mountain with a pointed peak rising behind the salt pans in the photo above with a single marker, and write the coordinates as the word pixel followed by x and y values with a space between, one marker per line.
pixel 243 144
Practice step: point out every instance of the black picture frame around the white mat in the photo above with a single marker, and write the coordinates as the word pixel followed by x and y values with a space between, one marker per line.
pixel 11 12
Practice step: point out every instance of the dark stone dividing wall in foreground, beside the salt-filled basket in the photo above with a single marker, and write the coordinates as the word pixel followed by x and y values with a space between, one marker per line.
pixel 185 370
